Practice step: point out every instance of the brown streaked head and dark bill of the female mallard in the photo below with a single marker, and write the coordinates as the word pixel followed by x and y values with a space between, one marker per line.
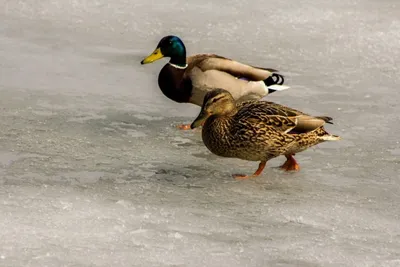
pixel 218 102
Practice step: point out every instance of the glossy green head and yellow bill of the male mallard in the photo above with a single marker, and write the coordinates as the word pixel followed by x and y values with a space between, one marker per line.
pixel 169 46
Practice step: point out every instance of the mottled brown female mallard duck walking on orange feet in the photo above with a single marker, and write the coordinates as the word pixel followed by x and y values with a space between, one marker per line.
pixel 257 130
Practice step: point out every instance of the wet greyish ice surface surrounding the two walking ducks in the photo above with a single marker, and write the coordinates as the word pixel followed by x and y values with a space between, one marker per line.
pixel 94 173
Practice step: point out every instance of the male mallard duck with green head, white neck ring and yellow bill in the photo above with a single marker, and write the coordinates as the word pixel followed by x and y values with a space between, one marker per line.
pixel 187 79
